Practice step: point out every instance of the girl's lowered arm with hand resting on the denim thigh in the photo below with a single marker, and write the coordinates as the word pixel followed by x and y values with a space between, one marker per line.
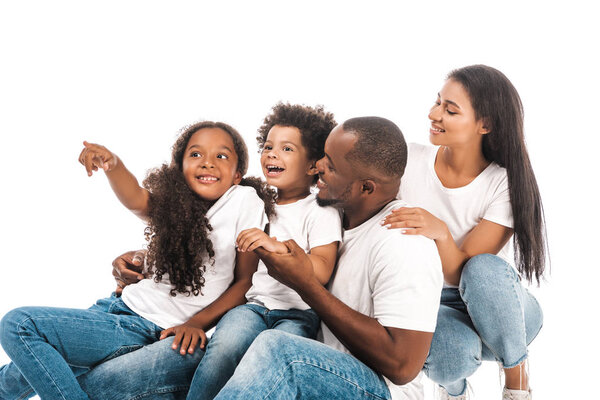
pixel 188 334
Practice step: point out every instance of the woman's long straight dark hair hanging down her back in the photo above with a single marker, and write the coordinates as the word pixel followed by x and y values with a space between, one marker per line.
pixel 497 103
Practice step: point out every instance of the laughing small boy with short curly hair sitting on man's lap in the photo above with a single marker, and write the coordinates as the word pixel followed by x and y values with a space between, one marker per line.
pixel 292 139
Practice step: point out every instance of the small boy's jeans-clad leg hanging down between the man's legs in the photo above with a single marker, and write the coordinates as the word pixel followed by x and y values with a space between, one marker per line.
pixel 235 332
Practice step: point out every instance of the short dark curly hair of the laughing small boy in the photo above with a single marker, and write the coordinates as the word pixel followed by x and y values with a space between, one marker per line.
pixel 314 124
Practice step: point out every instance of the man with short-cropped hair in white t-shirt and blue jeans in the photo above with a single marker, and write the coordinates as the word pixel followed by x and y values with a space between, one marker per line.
pixel 378 316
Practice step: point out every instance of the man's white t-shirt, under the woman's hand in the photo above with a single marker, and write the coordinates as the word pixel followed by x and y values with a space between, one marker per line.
pixel 394 278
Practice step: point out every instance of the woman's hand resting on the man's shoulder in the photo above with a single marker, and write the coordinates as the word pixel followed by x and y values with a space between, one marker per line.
pixel 416 221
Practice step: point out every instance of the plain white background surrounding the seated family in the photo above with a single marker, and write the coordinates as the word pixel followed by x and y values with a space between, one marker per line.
pixel 130 74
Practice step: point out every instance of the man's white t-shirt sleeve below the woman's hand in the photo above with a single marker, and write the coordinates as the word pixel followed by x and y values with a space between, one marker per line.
pixel 406 283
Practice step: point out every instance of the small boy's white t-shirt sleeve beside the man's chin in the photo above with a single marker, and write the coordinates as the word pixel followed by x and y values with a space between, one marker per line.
pixel 324 226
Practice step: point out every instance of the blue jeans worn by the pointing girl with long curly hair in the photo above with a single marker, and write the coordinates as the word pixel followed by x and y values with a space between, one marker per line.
pixel 49 347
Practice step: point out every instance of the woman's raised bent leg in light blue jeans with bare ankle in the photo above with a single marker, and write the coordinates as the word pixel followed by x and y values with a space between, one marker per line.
pixel 506 316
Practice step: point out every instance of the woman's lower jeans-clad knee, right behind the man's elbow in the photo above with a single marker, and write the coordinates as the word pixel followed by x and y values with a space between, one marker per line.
pixel 456 348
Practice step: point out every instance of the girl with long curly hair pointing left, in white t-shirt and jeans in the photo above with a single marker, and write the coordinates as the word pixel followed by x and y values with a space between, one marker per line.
pixel 195 208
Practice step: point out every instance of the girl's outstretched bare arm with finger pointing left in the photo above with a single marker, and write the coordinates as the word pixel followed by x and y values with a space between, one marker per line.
pixel 123 183
